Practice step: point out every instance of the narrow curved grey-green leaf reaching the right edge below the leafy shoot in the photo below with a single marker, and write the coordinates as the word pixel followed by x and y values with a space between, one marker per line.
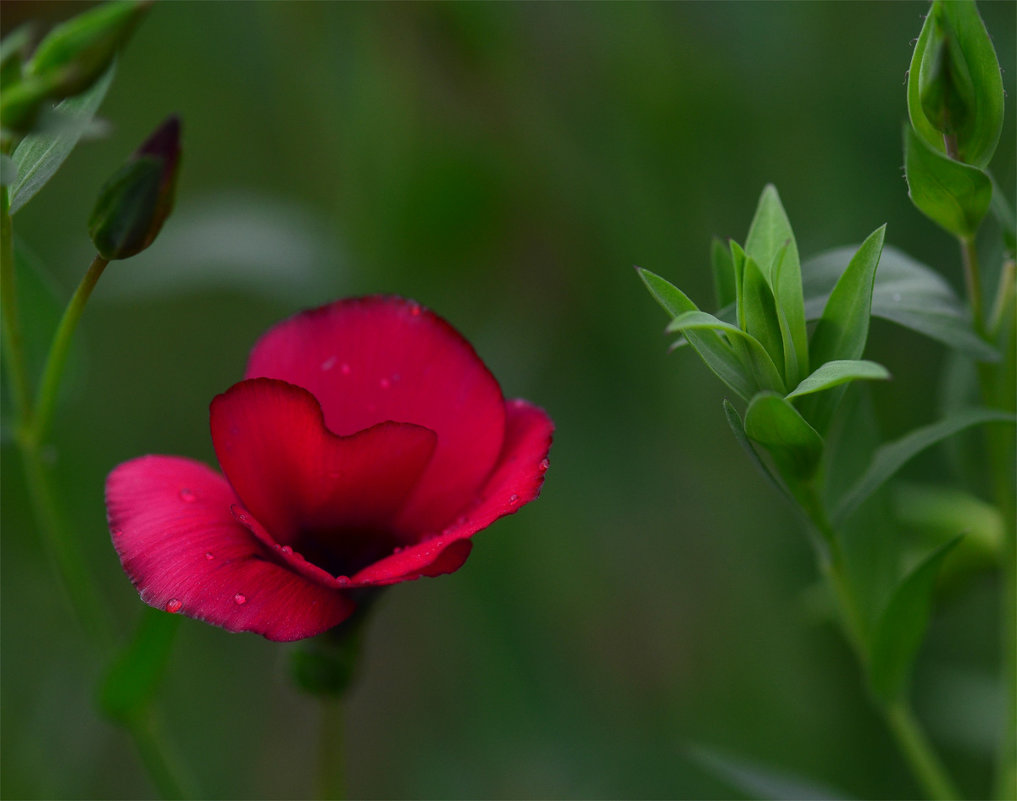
pixel 893 456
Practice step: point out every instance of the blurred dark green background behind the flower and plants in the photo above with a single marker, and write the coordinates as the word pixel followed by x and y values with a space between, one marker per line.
pixel 506 165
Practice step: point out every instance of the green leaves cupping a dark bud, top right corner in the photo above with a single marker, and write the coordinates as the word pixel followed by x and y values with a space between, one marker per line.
pixel 954 87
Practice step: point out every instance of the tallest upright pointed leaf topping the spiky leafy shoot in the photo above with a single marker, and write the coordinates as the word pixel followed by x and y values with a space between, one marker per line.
pixel 769 233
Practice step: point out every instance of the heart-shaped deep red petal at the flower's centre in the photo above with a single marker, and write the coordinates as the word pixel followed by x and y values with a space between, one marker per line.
pixel 307 485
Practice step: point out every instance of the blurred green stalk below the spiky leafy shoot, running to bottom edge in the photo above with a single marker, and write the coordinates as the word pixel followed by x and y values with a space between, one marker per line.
pixel 912 741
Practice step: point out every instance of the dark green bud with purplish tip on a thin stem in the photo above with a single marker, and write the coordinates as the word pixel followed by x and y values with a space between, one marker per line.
pixel 136 202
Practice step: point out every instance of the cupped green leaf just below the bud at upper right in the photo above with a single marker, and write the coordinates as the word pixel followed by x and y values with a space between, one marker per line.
pixel 954 196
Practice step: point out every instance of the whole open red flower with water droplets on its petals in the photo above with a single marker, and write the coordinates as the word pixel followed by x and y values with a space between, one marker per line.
pixel 367 445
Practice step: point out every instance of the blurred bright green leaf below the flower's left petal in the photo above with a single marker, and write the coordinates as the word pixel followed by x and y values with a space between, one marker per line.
pixel 136 674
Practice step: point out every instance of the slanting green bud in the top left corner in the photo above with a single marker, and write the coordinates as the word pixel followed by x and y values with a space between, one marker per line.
pixel 75 54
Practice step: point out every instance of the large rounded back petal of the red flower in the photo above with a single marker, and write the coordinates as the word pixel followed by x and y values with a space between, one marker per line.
pixel 377 359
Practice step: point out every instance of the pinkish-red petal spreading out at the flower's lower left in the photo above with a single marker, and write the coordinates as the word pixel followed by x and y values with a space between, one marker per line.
pixel 182 546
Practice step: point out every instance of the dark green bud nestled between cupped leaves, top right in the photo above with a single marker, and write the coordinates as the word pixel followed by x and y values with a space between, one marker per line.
pixel 945 87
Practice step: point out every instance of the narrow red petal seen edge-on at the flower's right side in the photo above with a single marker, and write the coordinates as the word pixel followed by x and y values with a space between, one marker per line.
pixel 515 482
